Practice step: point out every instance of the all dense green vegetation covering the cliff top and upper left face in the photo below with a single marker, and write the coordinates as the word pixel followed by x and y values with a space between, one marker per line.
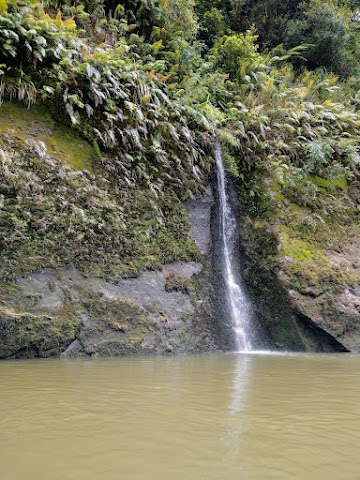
pixel 151 85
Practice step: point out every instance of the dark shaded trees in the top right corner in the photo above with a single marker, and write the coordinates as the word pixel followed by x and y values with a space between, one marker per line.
pixel 325 26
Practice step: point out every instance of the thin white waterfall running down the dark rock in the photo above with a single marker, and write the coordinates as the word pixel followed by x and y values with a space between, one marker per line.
pixel 238 306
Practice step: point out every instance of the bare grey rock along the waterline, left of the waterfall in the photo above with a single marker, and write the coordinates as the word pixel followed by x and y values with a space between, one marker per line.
pixel 164 311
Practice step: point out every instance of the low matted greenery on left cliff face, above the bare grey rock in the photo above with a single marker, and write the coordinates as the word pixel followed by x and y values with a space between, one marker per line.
pixel 52 215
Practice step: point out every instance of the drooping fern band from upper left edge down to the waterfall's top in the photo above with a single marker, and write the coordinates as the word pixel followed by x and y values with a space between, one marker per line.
pixel 108 93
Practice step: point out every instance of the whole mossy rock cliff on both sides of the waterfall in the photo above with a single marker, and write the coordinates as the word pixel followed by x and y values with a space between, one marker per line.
pixel 76 282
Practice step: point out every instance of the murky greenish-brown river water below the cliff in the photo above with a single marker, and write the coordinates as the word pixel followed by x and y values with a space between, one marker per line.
pixel 192 418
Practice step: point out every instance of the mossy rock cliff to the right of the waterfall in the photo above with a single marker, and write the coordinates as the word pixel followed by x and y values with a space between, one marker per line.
pixel 302 261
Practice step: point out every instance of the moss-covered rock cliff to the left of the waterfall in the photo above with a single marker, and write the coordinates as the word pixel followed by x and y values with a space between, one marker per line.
pixel 75 280
